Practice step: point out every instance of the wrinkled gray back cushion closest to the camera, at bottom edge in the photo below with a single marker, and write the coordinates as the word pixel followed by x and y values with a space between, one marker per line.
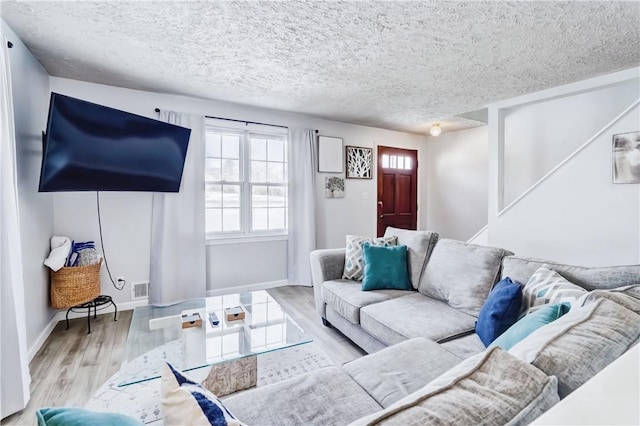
pixel 491 388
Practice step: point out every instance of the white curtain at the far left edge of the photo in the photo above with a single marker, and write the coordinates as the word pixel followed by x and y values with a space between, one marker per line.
pixel 14 363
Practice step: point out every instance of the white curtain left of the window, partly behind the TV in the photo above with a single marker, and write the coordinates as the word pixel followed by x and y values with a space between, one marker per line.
pixel 178 258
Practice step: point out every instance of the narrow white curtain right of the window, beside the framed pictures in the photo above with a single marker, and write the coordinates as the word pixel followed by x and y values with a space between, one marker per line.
pixel 302 205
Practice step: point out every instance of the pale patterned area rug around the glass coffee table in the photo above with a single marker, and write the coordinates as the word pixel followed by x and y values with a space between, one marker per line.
pixel 142 400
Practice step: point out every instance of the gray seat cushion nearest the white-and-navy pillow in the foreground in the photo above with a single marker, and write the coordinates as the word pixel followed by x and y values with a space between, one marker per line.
pixel 327 396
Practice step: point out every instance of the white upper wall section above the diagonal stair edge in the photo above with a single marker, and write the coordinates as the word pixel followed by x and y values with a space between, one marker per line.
pixel 539 135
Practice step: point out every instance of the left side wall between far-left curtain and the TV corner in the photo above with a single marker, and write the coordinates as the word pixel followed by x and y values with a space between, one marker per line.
pixel 30 85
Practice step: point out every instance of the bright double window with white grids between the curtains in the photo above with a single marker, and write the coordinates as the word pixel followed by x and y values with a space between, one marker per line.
pixel 245 183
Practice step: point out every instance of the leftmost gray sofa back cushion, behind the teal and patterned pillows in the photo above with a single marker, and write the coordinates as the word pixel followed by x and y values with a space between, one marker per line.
pixel 419 247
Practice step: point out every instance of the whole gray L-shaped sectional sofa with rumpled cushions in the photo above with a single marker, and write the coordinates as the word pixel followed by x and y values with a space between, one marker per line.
pixel 425 363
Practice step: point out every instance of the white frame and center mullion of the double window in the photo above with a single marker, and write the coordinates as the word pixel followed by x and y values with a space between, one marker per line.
pixel 245 234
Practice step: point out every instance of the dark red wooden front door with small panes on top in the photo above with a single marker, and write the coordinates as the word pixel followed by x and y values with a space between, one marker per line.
pixel 397 188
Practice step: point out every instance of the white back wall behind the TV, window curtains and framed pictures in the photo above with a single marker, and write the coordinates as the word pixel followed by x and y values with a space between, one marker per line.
pixel 126 217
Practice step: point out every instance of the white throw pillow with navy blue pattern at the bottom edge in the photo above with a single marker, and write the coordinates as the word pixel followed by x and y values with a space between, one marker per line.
pixel 185 402
